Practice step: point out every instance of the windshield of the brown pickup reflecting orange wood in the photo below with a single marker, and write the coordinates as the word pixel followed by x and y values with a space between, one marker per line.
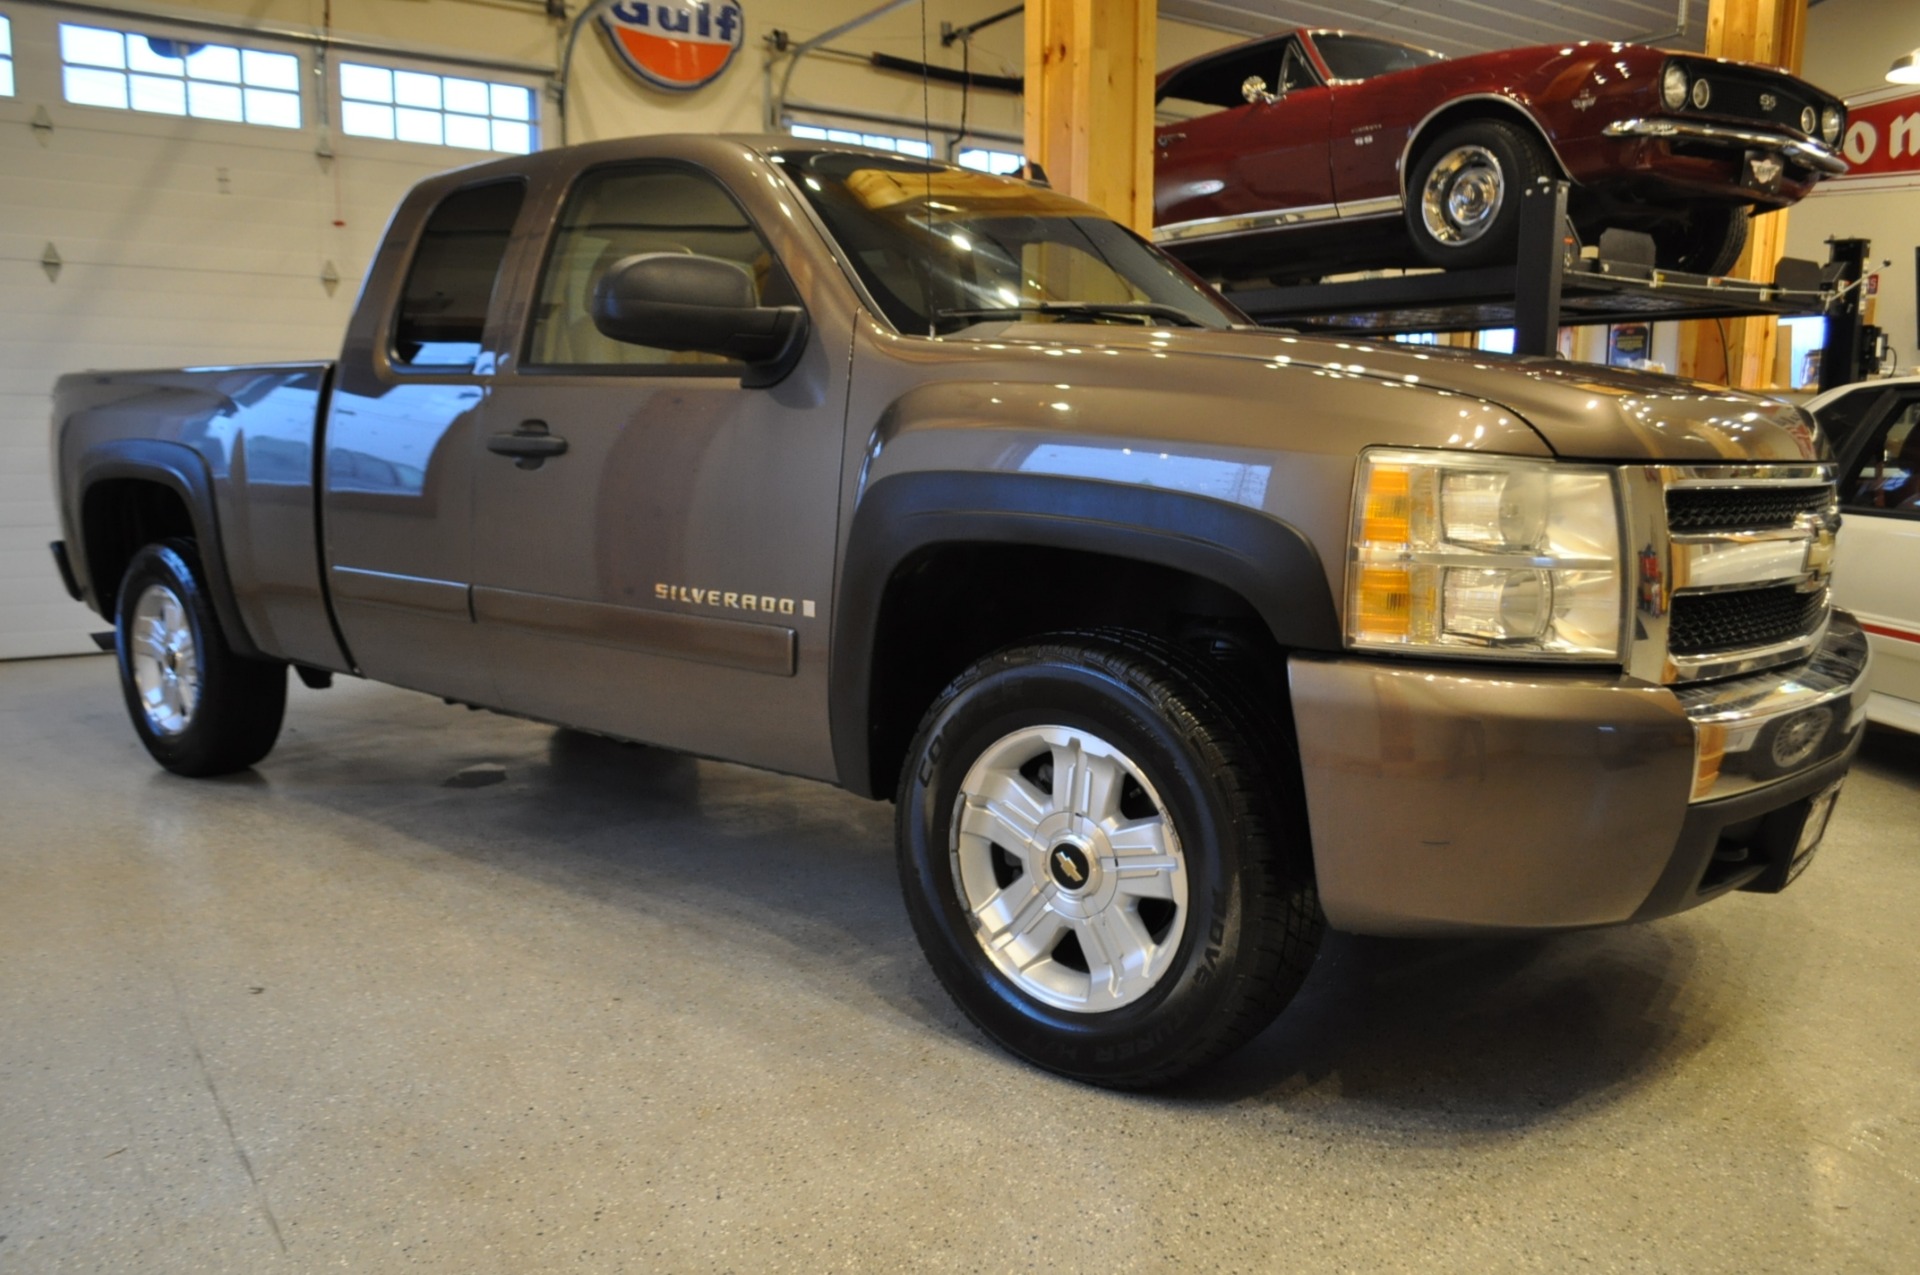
pixel 946 249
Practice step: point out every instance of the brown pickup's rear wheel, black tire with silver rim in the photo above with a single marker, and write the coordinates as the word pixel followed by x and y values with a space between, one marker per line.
pixel 204 710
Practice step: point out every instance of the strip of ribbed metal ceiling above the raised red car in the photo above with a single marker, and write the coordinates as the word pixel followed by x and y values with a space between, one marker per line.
pixel 1462 26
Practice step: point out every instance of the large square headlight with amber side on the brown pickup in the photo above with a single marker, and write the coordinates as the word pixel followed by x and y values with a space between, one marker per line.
pixel 1458 554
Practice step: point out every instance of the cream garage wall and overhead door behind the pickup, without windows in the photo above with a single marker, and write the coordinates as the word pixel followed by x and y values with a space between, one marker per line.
pixel 189 241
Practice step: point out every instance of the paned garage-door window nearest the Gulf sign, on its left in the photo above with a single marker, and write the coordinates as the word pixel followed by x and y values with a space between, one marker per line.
pixel 437 110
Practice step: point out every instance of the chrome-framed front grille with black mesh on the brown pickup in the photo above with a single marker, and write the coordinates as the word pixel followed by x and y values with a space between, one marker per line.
pixel 1733 567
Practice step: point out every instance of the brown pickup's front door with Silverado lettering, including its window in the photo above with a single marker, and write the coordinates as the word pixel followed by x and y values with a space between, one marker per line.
pixel 654 542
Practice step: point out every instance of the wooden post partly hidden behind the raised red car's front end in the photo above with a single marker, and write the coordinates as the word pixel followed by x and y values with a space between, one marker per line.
pixel 1775 34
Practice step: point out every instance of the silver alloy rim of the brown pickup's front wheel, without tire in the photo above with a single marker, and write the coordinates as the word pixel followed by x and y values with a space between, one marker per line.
pixel 1070 869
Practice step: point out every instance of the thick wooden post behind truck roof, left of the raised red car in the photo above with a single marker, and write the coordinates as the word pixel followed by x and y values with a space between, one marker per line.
pixel 1092 103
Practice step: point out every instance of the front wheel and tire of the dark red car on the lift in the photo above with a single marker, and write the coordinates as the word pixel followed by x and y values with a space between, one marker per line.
pixel 1464 193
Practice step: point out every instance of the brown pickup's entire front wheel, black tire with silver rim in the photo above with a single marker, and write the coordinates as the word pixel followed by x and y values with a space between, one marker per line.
pixel 1218 967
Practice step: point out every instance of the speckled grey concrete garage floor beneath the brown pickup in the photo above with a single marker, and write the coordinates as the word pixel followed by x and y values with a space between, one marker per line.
pixel 627 1011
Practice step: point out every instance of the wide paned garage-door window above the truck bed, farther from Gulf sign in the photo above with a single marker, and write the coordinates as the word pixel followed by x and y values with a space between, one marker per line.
pixel 130 72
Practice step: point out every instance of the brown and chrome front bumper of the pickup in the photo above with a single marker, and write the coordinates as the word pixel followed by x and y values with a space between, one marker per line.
pixel 1451 800
